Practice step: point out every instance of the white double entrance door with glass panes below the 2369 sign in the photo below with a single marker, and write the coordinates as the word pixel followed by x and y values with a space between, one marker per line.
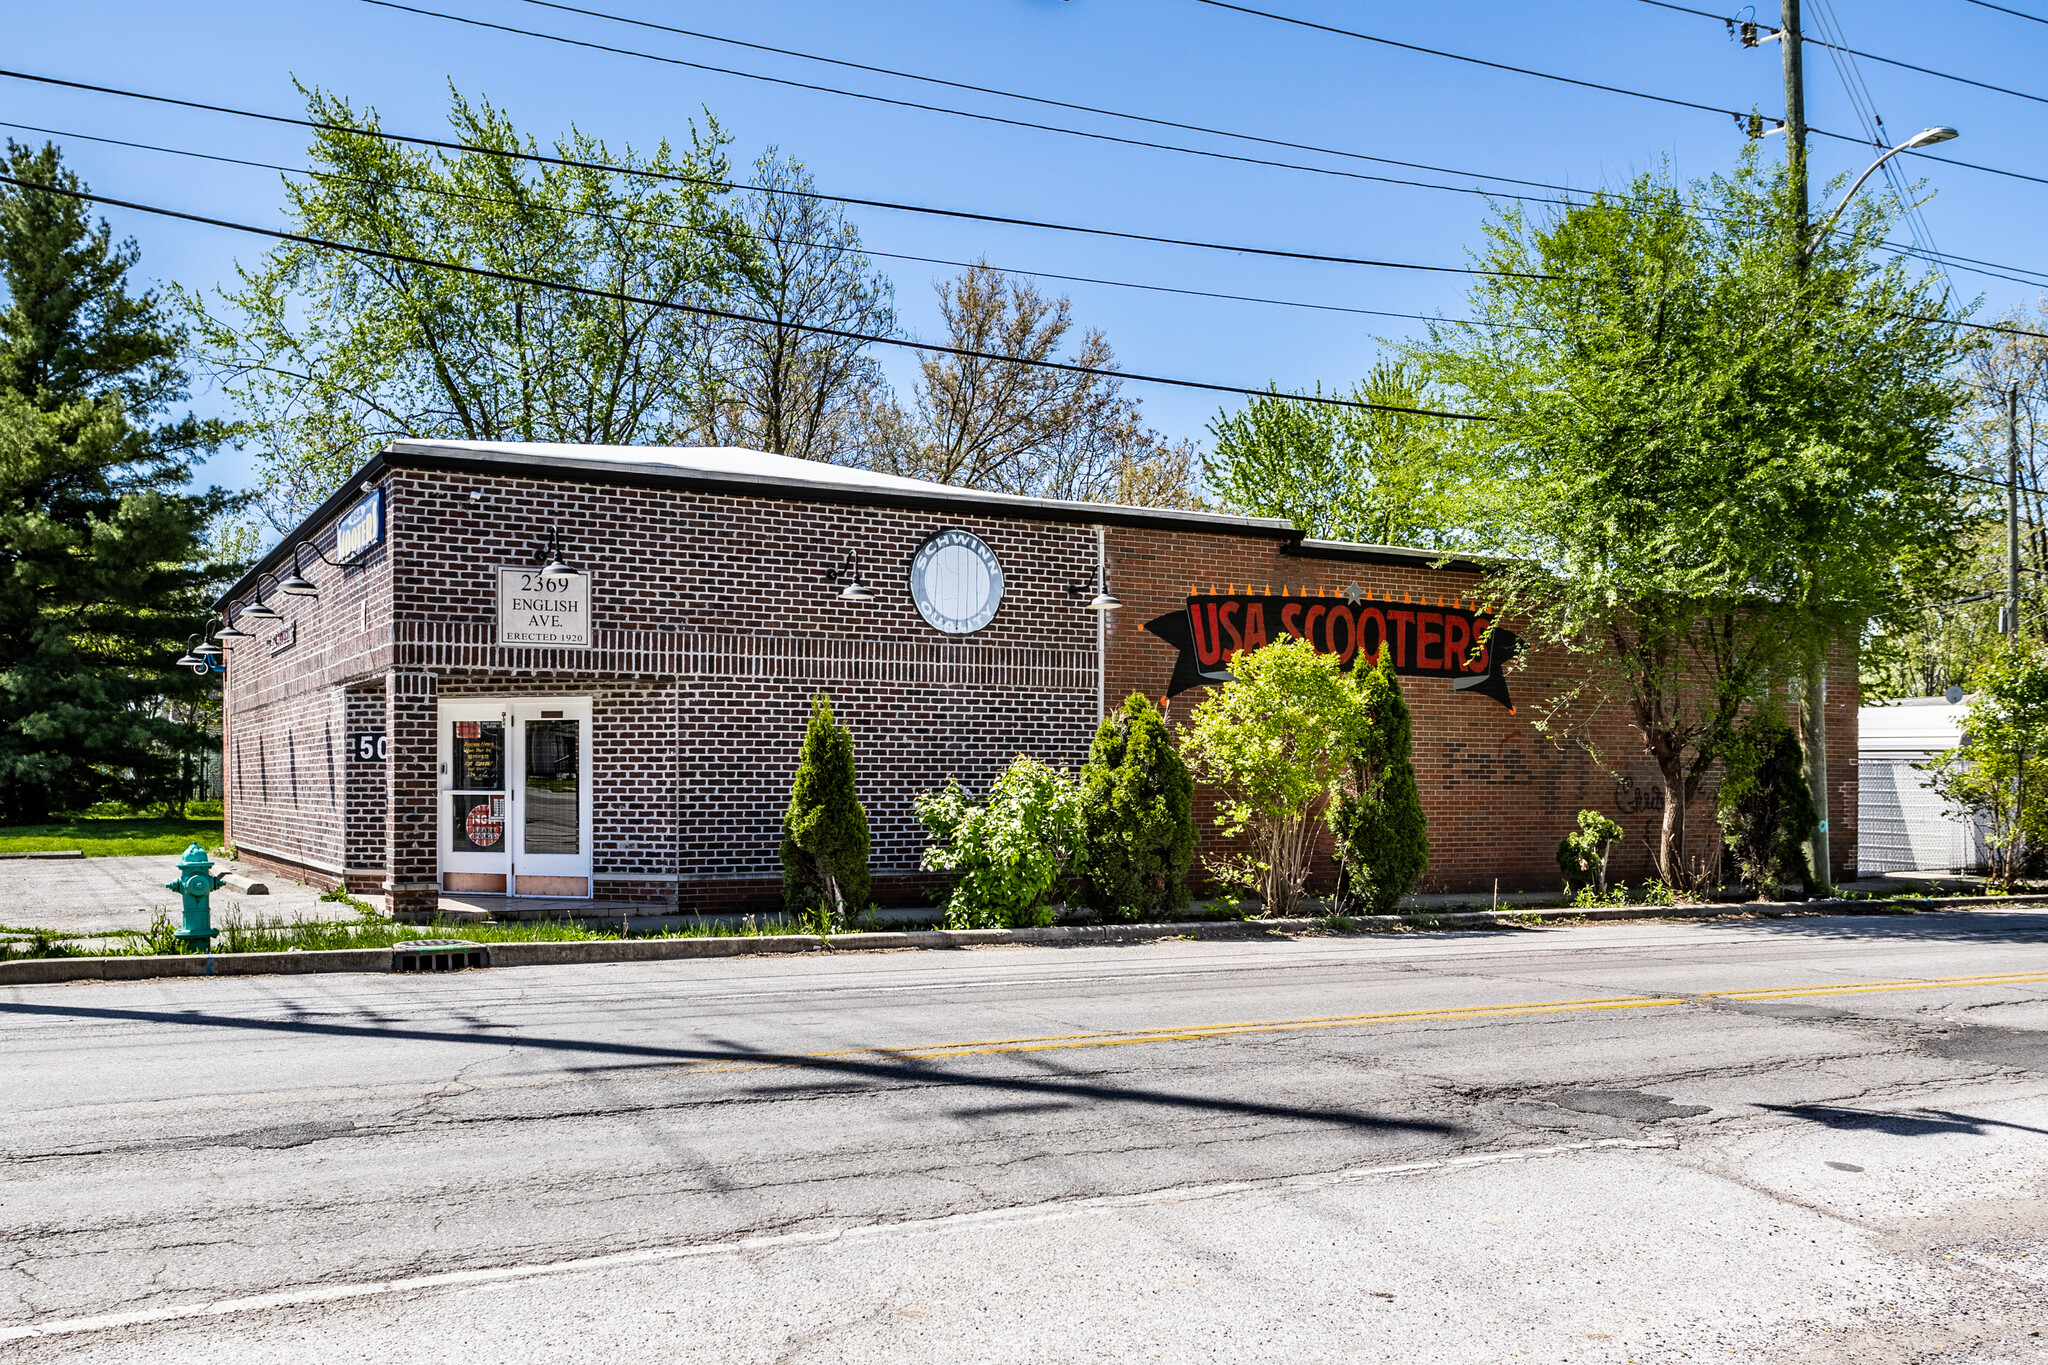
pixel 515 799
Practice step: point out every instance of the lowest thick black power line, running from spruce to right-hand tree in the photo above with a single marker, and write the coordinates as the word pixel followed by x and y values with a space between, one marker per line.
pixel 697 310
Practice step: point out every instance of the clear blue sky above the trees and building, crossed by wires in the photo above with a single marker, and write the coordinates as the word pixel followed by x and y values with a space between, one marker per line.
pixel 1164 58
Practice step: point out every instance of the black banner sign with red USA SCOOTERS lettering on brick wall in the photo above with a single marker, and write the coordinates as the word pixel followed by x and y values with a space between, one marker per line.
pixel 1426 642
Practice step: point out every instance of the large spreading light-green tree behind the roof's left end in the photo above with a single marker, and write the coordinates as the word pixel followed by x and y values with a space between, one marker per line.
pixel 331 355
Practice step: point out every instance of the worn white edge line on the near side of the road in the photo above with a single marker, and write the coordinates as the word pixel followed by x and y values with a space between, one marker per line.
pixel 656 1256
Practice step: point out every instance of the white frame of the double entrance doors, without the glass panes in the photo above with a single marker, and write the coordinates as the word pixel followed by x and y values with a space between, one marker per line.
pixel 509 867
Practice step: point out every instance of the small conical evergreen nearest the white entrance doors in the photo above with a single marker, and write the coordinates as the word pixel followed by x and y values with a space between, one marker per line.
pixel 826 828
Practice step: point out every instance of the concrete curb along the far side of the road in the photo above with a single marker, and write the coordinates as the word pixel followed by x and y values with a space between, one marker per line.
pixel 48 971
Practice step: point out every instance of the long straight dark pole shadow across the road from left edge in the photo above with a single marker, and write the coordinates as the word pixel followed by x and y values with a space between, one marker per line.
pixel 871 1067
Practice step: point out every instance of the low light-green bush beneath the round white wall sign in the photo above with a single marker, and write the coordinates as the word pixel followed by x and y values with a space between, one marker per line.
pixel 1009 852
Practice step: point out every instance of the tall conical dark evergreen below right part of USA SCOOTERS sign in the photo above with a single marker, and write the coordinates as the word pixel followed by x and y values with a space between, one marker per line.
pixel 1383 838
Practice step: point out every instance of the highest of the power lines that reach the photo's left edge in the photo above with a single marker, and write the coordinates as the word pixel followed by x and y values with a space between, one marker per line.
pixel 734 185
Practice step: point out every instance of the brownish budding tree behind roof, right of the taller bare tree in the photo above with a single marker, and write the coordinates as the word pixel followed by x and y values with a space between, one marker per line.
pixel 1019 429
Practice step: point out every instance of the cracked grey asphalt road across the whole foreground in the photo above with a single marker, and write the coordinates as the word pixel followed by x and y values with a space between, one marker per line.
pixel 1758 1141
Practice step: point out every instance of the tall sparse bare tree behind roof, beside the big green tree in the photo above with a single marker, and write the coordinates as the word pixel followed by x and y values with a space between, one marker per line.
pixel 775 386
